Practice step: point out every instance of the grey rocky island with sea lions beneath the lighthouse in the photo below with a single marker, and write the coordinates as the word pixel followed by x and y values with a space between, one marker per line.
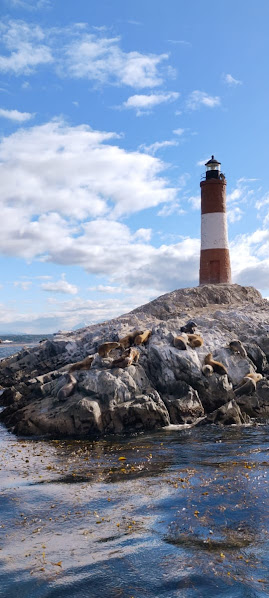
pixel 146 369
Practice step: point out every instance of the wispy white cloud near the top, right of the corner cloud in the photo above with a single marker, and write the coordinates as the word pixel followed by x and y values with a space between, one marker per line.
pixel 102 59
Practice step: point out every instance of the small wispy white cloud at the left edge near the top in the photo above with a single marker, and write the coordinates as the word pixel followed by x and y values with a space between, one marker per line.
pixel 26 48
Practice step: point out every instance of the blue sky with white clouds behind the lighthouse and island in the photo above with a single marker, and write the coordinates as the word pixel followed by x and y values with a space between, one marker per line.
pixel 108 112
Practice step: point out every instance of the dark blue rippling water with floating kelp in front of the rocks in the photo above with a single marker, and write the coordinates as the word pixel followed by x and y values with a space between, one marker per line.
pixel 172 514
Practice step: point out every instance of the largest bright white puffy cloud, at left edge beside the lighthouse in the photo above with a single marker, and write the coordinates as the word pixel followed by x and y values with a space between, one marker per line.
pixel 56 172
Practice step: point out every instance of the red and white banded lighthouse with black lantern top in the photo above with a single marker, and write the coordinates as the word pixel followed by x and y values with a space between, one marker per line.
pixel 214 258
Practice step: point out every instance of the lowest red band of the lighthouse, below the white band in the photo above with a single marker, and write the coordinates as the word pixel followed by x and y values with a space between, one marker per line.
pixel 215 266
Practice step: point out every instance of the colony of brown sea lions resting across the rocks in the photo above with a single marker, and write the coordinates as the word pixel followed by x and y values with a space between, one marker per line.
pixel 130 355
